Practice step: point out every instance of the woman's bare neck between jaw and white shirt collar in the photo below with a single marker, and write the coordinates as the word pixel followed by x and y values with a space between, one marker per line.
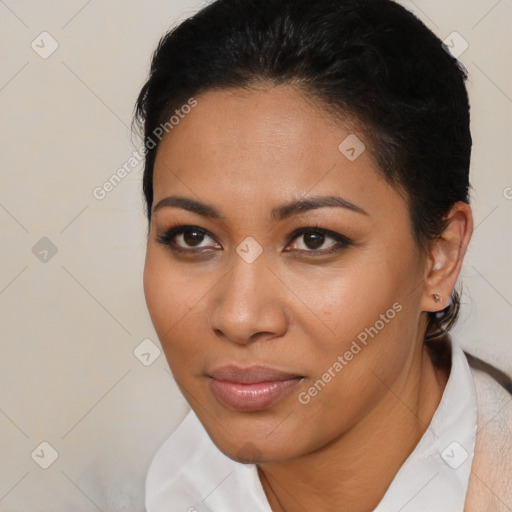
pixel 353 472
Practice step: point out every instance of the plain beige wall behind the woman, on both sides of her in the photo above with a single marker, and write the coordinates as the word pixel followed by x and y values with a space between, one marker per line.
pixel 70 324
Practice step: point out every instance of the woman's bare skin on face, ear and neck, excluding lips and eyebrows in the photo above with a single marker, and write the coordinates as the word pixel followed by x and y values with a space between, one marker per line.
pixel 246 152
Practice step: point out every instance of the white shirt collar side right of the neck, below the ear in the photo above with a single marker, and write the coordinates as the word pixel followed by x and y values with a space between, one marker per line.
pixel 435 476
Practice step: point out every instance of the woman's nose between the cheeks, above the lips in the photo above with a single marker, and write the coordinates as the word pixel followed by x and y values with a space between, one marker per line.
pixel 248 304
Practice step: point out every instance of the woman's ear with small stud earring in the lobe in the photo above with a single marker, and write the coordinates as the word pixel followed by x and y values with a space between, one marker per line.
pixel 446 256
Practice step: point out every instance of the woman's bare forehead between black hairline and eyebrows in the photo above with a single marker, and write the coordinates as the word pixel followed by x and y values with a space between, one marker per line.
pixel 266 146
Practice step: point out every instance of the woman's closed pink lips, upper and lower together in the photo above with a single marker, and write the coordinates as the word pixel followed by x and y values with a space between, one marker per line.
pixel 251 389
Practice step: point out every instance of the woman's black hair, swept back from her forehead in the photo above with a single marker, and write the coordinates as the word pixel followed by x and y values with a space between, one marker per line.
pixel 370 61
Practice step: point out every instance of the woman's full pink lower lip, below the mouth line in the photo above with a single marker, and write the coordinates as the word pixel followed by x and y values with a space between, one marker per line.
pixel 251 397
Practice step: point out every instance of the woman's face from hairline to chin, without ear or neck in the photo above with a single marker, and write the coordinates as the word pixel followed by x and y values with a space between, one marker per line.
pixel 336 307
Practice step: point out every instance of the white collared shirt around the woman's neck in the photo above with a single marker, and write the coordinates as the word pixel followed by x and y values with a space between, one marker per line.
pixel 190 474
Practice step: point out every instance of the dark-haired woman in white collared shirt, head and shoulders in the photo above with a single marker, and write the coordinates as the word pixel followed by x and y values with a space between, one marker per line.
pixel 306 180
